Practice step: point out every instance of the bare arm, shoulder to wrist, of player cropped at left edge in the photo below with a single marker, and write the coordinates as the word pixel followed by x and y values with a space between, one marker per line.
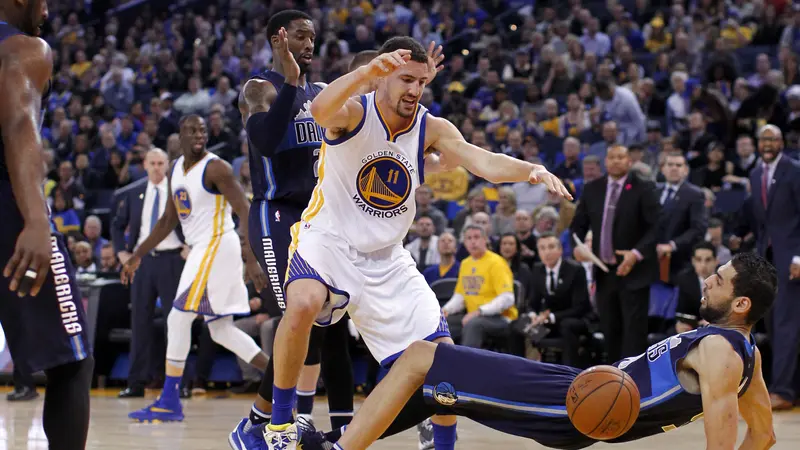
pixel 24 75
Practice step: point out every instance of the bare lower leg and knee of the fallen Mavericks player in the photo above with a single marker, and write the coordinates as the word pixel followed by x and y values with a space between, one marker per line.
pixel 389 397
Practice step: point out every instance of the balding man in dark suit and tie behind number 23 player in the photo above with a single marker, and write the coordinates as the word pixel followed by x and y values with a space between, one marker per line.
pixel 138 208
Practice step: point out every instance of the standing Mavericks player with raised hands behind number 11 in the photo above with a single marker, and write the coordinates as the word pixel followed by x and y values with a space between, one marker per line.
pixel 285 144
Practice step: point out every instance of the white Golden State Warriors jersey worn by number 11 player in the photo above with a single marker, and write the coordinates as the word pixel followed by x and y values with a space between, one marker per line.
pixel 367 180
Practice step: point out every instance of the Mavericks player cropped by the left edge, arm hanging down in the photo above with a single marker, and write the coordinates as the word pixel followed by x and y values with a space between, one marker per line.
pixel 40 307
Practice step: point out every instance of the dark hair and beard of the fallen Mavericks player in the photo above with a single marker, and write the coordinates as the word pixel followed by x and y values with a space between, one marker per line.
pixel 755 279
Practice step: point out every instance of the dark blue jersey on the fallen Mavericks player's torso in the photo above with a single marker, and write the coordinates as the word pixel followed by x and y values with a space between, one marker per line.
pixel 665 404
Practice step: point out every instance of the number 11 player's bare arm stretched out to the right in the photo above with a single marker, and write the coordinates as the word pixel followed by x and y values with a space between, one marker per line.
pixel 494 167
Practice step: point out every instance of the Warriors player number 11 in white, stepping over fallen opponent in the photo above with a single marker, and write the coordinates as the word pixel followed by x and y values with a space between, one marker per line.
pixel 347 250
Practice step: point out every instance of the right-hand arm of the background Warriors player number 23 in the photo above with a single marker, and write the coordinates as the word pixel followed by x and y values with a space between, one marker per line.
pixel 220 175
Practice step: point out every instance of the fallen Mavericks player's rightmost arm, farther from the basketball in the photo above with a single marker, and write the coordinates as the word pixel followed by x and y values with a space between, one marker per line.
pixel 757 413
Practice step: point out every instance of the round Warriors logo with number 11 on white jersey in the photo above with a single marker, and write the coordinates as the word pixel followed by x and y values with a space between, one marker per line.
pixel 384 184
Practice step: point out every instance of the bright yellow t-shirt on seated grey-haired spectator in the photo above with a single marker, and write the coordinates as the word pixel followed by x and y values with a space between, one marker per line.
pixel 481 280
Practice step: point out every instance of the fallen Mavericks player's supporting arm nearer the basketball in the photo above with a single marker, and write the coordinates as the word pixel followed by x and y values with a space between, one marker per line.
pixel 719 369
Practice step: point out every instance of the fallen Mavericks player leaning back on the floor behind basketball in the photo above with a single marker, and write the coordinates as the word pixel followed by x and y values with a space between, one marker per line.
pixel 712 372
